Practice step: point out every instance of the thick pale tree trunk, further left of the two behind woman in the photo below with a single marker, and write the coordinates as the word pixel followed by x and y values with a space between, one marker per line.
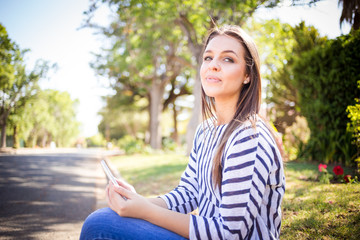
pixel 156 106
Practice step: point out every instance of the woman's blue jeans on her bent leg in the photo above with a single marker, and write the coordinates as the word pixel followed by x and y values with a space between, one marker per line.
pixel 107 224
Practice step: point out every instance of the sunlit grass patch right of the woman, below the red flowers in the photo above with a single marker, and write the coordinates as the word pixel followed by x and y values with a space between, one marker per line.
pixel 312 210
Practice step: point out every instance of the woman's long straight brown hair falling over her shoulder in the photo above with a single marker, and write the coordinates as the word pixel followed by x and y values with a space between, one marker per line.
pixel 248 104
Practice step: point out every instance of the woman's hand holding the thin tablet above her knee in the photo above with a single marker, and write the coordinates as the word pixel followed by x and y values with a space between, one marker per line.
pixel 134 206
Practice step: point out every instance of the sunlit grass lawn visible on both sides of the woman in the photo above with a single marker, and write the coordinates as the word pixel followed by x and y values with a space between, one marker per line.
pixel 311 210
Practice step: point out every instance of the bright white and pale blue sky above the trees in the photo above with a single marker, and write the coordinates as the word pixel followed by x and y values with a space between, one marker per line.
pixel 50 29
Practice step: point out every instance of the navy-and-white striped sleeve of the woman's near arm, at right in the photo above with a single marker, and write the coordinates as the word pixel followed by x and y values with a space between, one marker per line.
pixel 246 168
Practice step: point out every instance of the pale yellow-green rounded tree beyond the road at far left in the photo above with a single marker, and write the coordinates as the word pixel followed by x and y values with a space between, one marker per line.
pixel 50 116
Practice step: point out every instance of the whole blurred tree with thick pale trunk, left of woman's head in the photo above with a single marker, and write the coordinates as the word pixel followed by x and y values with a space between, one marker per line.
pixel 145 59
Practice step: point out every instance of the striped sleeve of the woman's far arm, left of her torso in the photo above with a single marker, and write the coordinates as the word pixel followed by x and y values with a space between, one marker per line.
pixel 184 197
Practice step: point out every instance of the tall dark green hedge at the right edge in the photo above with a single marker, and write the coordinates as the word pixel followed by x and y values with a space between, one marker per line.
pixel 326 78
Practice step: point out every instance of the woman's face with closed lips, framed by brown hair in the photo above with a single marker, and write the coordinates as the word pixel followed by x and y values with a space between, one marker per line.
pixel 223 70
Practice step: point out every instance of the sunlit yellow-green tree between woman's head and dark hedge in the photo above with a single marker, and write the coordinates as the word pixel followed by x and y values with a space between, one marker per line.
pixel 282 45
